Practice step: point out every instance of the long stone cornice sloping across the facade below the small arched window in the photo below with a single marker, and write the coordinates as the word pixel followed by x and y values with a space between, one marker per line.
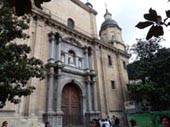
pixel 75 33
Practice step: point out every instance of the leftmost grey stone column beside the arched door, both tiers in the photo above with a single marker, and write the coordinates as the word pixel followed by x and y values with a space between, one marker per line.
pixel 50 113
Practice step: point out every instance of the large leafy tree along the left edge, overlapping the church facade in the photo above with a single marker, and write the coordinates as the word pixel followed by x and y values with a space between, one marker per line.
pixel 16 68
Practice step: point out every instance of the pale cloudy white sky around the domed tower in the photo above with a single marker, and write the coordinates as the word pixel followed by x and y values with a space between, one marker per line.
pixel 128 13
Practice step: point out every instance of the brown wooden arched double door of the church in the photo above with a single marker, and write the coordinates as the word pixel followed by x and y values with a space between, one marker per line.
pixel 71 106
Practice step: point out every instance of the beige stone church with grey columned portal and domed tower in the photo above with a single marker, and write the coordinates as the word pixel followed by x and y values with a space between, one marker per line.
pixel 86 76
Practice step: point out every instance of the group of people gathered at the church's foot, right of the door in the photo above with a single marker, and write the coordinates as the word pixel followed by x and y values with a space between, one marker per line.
pixel 107 122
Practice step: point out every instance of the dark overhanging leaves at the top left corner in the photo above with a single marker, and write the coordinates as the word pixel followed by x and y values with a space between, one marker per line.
pixel 24 6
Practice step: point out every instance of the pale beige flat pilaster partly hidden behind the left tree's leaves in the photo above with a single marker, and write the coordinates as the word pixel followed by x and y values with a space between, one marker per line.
pixel 31 103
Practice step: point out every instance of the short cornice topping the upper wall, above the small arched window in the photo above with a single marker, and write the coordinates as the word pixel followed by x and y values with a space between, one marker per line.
pixel 82 5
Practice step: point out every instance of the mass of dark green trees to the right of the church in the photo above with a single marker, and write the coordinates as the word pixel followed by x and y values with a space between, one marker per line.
pixel 152 70
